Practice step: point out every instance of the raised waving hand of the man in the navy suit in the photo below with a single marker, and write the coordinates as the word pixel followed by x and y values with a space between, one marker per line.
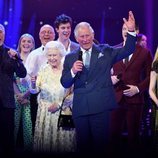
pixel 130 23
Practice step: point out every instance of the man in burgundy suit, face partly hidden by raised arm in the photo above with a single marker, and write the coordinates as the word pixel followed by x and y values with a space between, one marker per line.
pixel 130 80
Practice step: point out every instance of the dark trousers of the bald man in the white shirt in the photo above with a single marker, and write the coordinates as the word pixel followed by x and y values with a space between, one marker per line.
pixel 34 106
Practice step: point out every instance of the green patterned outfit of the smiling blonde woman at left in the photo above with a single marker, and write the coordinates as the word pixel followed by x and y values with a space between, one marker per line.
pixel 23 116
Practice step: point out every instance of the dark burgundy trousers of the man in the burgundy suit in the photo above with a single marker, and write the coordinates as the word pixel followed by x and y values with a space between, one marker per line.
pixel 129 115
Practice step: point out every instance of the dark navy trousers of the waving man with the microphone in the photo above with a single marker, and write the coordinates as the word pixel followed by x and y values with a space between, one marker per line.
pixel 92 133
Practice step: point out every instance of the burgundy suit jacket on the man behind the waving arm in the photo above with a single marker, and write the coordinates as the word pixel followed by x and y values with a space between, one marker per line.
pixel 137 72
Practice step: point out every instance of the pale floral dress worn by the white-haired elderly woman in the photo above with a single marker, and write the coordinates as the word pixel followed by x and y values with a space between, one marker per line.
pixel 47 138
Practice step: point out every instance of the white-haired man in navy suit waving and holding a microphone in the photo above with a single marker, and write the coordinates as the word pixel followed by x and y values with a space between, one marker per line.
pixel 93 90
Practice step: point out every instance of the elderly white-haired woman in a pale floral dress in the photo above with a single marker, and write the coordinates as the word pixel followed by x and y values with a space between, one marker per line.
pixel 47 137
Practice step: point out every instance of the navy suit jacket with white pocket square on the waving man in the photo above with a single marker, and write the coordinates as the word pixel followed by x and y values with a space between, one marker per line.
pixel 93 89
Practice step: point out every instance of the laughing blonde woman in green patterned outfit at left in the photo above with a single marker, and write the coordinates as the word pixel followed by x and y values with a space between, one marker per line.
pixel 22 97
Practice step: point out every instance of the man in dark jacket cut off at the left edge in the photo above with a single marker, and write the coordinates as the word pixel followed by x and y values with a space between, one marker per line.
pixel 10 63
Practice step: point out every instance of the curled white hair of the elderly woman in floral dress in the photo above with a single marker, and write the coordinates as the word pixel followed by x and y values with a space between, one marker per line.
pixel 55 45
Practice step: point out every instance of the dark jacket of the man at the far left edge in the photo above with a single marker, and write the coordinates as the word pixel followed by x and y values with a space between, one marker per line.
pixel 8 67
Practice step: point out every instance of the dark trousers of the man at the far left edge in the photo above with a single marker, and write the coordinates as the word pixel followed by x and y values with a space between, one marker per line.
pixel 6 130
